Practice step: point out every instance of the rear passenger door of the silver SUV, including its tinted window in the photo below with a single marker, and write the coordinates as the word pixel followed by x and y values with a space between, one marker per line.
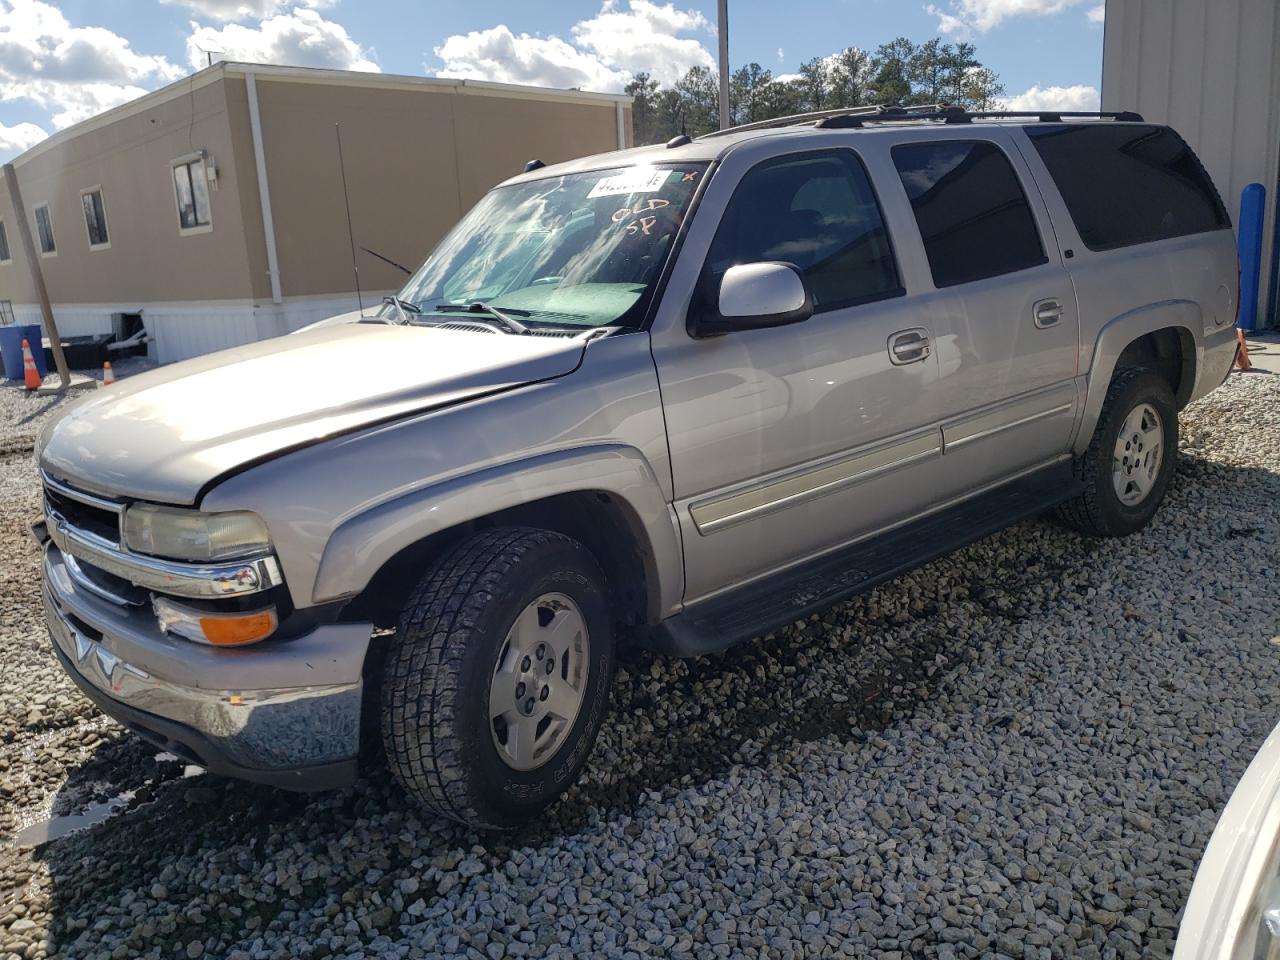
pixel 1008 331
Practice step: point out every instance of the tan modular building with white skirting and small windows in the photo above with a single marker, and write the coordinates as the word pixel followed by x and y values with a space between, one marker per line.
pixel 216 205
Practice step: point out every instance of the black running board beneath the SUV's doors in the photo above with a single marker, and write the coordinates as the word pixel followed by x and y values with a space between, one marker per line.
pixel 765 606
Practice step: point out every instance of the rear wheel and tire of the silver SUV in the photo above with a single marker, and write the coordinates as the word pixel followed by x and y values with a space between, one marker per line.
pixel 1131 459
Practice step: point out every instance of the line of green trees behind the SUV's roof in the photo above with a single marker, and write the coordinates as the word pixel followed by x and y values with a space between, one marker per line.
pixel 898 74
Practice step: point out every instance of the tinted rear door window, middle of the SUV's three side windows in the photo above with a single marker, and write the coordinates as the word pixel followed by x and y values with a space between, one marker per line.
pixel 972 211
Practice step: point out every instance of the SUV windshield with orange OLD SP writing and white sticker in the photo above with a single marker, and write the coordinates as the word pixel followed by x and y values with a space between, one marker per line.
pixel 582 250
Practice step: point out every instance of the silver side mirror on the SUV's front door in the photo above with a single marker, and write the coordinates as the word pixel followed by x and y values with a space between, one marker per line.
pixel 757 296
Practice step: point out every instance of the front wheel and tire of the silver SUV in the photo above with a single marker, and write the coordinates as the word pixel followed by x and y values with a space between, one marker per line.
pixel 499 676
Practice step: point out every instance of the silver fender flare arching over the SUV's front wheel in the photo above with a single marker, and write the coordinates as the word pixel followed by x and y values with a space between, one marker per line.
pixel 364 543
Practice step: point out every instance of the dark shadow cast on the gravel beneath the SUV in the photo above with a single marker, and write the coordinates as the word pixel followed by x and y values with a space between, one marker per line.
pixel 848 674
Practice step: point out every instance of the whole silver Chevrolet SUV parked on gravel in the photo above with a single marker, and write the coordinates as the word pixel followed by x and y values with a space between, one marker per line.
pixel 682 396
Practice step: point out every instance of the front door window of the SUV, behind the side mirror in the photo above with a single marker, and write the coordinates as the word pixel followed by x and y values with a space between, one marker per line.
pixel 820 213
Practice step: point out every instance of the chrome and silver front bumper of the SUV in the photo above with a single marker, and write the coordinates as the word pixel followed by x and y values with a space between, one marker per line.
pixel 285 712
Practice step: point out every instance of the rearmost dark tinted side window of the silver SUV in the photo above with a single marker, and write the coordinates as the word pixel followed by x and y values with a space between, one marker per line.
pixel 1127 185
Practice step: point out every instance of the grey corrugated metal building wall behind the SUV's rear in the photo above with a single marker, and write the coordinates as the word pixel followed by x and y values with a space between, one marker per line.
pixel 1212 70
